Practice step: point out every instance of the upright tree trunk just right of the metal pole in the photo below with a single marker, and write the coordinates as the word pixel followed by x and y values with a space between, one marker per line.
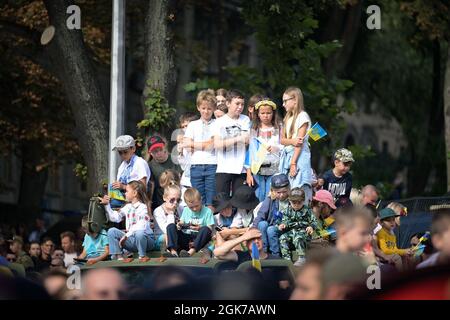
pixel 160 72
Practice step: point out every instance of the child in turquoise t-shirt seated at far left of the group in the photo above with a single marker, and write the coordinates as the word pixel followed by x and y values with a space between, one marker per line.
pixel 95 245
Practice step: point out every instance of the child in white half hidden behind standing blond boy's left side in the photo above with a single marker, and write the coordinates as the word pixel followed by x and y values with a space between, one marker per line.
pixel 184 156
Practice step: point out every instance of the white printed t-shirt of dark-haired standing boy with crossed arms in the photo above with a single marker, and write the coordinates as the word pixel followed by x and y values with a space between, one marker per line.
pixel 231 159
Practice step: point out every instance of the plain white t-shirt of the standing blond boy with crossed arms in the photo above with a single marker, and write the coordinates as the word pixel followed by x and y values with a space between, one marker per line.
pixel 199 131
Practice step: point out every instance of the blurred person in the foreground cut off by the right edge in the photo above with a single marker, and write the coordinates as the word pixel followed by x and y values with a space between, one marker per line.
pixel 440 237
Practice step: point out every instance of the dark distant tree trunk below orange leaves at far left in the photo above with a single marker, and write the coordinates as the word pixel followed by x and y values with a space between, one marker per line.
pixel 32 182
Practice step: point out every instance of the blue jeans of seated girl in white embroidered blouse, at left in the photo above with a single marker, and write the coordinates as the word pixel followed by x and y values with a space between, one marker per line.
pixel 139 242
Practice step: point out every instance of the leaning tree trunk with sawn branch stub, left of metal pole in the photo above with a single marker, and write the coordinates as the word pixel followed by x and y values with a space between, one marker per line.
pixel 82 90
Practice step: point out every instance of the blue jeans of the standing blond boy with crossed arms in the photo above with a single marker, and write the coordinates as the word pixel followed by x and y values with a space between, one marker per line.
pixel 203 178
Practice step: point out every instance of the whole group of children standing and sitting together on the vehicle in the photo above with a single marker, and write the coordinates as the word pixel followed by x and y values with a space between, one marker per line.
pixel 247 172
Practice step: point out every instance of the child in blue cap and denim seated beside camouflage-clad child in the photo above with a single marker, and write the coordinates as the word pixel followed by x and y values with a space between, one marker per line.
pixel 271 211
